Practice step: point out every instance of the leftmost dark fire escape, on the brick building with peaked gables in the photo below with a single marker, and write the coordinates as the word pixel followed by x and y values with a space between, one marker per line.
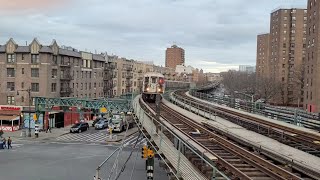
pixel 65 79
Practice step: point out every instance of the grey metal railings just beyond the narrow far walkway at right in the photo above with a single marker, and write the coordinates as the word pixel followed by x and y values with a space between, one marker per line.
pixel 293 116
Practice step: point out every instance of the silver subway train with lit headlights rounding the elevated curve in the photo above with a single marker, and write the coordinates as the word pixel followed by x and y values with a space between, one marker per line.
pixel 154 83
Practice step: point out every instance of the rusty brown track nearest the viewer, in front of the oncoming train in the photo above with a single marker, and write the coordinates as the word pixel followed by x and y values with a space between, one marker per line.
pixel 234 159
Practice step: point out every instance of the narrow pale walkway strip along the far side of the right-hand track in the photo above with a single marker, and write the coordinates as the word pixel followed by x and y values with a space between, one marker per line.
pixel 307 130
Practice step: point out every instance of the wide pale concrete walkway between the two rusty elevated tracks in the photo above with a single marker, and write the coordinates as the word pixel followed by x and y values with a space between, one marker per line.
pixel 267 144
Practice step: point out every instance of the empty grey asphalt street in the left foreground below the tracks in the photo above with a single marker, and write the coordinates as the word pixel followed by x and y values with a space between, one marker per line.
pixel 61 161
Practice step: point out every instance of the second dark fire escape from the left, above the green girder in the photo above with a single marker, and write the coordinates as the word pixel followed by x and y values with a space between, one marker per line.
pixel 108 76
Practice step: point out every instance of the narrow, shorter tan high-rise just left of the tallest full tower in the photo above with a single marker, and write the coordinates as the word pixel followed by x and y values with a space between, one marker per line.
pixel 262 68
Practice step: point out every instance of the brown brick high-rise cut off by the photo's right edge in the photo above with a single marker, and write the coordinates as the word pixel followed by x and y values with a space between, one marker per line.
pixel 312 68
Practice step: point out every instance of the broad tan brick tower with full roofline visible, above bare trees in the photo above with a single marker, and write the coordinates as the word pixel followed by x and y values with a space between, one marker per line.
pixel 287 53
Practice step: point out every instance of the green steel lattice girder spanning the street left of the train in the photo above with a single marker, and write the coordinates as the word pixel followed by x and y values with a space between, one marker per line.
pixel 112 105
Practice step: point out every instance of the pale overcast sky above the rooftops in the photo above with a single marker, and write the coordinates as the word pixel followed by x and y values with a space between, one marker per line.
pixel 216 34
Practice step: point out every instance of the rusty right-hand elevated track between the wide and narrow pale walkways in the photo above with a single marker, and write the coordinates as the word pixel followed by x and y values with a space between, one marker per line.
pixel 307 142
